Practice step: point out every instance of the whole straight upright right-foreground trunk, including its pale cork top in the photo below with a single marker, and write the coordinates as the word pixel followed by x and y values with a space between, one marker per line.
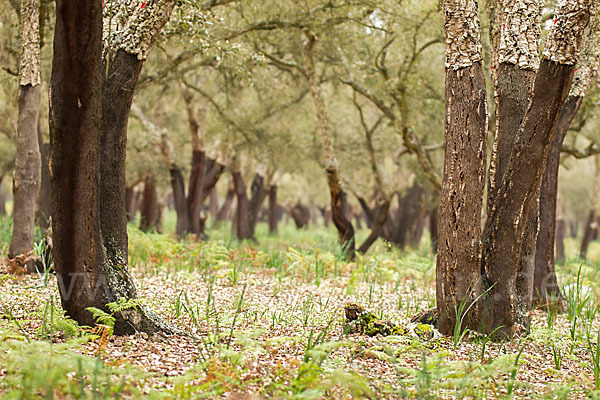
pixel 459 229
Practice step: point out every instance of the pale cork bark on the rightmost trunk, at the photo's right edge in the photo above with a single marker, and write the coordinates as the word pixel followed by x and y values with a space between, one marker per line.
pixel 589 61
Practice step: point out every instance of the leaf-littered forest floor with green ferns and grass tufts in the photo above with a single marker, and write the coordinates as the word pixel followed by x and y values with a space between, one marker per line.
pixel 267 320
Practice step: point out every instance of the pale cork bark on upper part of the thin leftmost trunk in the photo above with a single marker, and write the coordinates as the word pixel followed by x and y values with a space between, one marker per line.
pixel 29 68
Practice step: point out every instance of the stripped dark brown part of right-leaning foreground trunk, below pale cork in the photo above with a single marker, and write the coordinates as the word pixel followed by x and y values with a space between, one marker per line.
pixel 505 230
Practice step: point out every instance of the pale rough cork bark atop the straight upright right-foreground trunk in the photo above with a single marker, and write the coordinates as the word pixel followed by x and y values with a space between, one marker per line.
pixel 463 42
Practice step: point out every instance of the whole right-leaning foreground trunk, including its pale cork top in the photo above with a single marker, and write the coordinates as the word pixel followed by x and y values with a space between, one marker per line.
pixel 506 227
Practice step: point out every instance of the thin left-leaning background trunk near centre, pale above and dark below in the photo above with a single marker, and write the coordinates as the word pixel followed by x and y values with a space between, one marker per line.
pixel 338 195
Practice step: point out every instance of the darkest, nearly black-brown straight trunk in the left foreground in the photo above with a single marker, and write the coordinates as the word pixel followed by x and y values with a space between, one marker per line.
pixel 84 277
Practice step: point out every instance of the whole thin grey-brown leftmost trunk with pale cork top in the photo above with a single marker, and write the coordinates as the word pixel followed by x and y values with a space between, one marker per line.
pixel 27 175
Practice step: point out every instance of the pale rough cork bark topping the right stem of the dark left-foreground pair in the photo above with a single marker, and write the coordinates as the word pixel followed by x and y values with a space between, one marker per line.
pixel 132 25
